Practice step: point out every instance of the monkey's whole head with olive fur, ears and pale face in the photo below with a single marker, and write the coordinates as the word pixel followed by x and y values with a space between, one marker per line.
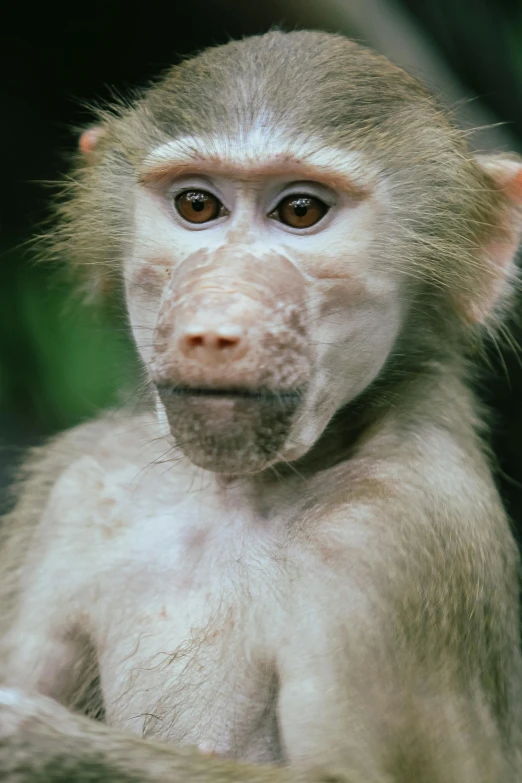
pixel 276 233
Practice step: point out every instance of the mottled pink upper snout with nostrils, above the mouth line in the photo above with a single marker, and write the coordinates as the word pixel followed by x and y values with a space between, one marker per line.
pixel 231 320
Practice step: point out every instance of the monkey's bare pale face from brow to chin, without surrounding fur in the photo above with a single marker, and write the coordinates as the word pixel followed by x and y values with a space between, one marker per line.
pixel 256 301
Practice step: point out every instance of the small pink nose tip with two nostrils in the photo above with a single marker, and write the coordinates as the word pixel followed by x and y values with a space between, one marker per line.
pixel 215 343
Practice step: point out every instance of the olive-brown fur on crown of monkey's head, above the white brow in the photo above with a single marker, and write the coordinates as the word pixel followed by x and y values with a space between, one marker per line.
pixel 299 84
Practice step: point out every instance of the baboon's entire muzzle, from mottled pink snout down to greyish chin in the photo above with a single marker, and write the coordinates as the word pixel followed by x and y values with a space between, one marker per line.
pixel 231 358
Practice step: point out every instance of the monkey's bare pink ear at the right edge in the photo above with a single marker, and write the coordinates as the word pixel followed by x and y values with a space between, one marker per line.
pixel 505 176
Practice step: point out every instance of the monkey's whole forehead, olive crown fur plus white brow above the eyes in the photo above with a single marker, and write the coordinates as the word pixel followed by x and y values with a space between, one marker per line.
pixel 304 105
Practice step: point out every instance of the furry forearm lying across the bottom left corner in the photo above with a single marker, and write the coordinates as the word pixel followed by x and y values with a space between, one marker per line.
pixel 42 742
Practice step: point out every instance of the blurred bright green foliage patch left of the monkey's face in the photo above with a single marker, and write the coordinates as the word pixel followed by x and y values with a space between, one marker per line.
pixel 70 360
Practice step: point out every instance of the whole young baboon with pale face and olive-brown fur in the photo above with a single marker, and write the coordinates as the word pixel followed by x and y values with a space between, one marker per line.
pixel 292 562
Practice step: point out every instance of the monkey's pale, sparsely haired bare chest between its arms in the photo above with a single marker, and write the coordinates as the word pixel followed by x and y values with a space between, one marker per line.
pixel 189 610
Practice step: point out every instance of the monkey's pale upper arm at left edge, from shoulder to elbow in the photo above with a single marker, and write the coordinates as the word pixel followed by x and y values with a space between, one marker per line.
pixel 40 648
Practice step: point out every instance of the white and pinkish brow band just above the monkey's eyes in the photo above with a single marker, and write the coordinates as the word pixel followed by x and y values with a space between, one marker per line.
pixel 263 151
